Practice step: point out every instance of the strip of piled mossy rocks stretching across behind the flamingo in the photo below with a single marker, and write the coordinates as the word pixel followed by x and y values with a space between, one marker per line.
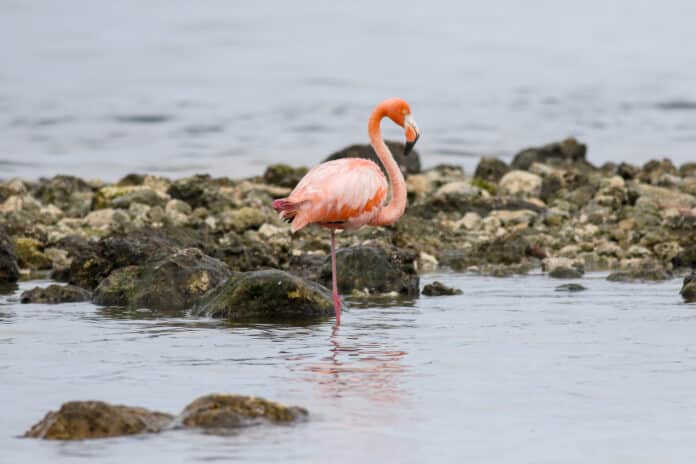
pixel 214 245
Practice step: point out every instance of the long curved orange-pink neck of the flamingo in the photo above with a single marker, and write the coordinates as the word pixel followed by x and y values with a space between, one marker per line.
pixel 391 212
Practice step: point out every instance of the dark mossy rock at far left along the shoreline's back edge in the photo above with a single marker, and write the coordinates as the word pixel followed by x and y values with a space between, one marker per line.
pixel 69 193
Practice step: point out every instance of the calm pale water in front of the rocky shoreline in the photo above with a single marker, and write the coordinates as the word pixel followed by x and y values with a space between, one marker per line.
pixel 510 371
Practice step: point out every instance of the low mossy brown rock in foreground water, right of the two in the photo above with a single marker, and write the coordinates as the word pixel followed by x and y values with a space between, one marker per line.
pixel 232 411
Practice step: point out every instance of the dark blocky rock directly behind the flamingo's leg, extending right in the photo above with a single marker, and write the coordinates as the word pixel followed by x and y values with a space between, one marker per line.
pixel 373 270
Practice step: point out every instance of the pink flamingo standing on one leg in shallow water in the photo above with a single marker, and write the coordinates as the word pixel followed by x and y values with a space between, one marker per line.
pixel 349 193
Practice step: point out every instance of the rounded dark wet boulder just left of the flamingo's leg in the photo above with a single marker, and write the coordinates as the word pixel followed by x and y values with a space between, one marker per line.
pixel 269 295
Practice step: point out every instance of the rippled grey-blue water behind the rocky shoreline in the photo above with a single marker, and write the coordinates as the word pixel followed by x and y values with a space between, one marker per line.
pixel 100 89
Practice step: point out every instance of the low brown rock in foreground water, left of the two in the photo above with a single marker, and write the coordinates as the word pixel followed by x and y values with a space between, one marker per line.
pixel 79 420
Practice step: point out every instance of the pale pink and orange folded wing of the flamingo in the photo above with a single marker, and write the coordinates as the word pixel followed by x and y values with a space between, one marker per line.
pixel 345 193
